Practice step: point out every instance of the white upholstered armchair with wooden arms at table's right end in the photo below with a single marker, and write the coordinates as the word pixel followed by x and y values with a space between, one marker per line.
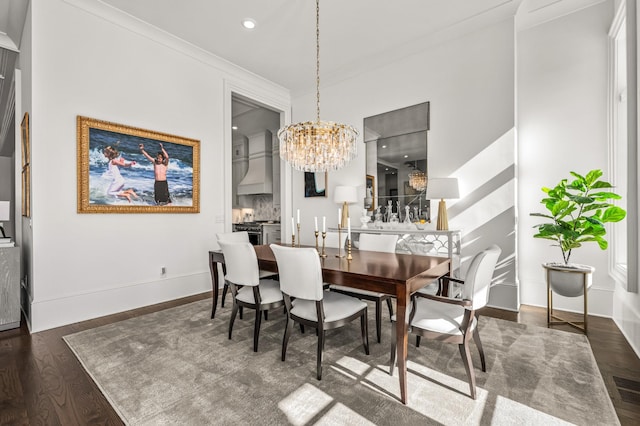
pixel 455 320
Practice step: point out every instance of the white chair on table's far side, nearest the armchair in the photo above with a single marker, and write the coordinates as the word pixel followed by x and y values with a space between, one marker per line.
pixel 373 242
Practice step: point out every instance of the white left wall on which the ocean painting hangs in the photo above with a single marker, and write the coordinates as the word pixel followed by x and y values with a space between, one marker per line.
pixel 90 60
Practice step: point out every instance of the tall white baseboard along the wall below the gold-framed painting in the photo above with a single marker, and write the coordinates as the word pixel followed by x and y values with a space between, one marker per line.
pixel 68 310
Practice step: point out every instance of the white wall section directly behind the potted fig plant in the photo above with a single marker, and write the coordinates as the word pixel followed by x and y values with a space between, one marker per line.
pixel 562 127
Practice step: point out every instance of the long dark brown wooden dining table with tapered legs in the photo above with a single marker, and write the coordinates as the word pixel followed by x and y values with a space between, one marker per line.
pixel 396 274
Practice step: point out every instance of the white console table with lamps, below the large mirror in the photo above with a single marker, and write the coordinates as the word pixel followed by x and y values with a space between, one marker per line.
pixel 426 242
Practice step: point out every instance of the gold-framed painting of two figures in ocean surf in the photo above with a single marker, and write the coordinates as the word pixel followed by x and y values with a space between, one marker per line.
pixel 124 169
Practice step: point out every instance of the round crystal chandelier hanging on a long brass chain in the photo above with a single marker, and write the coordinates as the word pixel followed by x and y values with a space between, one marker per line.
pixel 317 146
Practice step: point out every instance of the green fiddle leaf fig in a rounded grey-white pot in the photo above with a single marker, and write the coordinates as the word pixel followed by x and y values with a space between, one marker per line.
pixel 577 213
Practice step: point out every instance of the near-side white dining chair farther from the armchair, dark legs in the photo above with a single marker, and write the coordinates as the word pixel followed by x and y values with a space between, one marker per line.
pixel 247 289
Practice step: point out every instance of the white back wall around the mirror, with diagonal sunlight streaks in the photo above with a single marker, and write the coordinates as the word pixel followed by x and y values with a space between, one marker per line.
pixel 470 83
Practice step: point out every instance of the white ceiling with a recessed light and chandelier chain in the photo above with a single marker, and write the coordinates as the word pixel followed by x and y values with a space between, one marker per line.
pixel 355 35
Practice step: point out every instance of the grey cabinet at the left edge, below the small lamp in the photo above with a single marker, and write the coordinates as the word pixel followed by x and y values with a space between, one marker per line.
pixel 9 288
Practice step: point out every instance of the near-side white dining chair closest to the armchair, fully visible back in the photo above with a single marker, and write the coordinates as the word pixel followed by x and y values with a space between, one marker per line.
pixel 308 304
